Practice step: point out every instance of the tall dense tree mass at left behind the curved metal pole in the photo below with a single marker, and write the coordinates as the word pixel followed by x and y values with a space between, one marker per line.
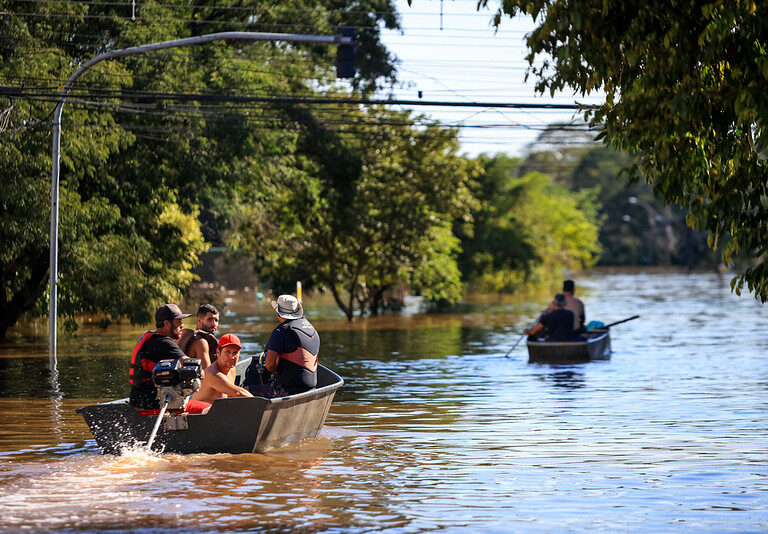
pixel 141 178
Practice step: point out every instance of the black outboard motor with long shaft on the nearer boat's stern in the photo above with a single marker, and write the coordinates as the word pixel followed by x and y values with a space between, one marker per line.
pixel 175 381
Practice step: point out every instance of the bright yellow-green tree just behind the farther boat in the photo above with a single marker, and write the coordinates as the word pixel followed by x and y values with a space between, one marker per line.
pixel 527 231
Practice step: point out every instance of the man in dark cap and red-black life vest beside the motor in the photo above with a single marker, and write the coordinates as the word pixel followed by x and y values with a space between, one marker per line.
pixel 153 346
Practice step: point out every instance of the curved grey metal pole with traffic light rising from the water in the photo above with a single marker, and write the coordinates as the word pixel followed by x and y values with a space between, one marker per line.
pixel 344 40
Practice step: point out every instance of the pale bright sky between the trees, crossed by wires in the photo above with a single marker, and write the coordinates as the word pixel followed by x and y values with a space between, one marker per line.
pixel 467 61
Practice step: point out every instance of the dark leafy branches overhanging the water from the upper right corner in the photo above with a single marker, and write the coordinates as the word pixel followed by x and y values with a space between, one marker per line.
pixel 684 90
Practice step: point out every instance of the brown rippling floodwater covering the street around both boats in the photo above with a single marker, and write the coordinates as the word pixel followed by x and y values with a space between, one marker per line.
pixel 434 428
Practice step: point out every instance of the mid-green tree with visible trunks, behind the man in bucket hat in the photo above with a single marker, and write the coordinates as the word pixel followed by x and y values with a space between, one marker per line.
pixel 371 208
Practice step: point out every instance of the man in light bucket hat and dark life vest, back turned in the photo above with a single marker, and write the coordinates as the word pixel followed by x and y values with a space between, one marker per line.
pixel 291 351
